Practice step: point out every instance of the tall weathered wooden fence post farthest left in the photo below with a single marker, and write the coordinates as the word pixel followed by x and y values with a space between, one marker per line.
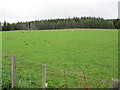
pixel 13 71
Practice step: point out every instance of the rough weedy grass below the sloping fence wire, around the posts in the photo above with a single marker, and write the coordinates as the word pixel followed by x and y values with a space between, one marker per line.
pixel 29 75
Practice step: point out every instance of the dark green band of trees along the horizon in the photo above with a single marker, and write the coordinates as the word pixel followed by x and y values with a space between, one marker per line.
pixel 75 22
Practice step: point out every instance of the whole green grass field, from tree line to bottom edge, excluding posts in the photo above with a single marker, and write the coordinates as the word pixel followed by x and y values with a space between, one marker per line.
pixel 92 53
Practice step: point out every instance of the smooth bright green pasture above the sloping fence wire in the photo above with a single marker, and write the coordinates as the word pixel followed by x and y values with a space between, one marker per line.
pixel 94 50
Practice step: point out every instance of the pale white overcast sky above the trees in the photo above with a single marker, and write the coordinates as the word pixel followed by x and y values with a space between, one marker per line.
pixel 28 10
